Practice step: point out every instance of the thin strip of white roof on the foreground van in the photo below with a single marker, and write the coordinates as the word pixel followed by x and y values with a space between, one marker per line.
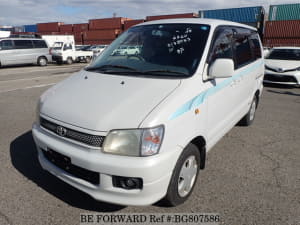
pixel 212 22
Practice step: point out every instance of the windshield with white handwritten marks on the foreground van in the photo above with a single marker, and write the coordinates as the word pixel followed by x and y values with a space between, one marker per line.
pixel 155 50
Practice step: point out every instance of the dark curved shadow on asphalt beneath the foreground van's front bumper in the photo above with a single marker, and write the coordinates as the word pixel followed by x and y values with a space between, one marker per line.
pixel 24 158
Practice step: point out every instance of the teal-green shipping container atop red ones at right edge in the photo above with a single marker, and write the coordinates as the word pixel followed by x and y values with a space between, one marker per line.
pixel 284 12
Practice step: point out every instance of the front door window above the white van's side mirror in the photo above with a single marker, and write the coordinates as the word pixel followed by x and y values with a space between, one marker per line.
pixel 221 47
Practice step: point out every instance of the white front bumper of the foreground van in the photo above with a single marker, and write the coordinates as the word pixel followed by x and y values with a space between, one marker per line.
pixel 155 171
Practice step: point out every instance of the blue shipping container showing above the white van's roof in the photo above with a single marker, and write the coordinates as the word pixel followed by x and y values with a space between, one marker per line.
pixel 240 15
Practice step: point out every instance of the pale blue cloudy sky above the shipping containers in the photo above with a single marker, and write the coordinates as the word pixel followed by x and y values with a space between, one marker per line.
pixel 21 12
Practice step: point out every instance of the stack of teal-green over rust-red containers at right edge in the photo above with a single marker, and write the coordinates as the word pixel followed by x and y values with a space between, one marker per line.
pixel 283 27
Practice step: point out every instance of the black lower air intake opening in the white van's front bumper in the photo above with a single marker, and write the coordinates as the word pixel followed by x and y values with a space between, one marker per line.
pixel 63 162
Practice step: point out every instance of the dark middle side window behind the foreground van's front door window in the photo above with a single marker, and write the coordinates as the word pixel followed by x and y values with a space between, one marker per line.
pixel 243 53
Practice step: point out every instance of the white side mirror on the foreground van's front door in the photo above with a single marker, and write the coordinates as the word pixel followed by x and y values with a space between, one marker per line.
pixel 221 68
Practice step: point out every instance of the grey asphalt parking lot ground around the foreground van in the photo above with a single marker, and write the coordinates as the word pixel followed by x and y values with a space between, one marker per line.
pixel 252 175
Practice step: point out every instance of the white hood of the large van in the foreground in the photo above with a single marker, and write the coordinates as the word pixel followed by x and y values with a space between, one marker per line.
pixel 103 102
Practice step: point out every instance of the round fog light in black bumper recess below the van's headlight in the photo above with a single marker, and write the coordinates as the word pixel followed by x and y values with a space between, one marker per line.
pixel 127 183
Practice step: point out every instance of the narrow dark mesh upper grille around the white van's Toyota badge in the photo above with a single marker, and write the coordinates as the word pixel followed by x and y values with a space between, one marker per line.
pixel 89 139
